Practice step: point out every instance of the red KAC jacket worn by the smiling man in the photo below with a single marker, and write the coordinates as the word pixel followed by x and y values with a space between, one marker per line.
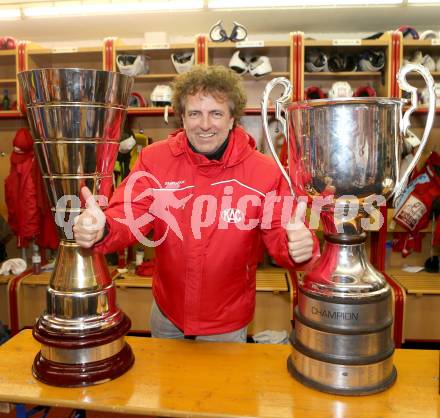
pixel 204 276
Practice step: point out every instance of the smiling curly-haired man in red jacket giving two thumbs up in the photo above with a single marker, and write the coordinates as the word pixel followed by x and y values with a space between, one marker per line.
pixel 210 197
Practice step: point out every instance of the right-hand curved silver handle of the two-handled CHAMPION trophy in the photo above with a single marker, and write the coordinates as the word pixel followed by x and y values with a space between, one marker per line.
pixel 405 122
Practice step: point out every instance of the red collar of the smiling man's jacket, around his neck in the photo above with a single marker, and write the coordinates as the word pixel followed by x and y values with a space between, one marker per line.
pixel 240 146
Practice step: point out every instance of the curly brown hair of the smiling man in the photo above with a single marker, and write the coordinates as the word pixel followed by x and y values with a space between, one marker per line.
pixel 216 80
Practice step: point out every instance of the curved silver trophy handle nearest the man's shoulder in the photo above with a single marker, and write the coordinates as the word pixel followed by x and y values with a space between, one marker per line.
pixel 285 98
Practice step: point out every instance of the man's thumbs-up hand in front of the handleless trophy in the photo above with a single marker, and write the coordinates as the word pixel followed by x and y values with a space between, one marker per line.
pixel 89 226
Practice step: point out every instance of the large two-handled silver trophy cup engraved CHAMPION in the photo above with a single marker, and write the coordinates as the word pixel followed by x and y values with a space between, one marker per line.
pixel 344 154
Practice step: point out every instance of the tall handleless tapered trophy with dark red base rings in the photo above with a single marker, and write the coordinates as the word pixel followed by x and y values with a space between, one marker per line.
pixel 76 117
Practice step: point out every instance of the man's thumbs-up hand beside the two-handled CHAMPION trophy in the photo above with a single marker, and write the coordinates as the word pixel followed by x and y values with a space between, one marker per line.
pixel 299 237
